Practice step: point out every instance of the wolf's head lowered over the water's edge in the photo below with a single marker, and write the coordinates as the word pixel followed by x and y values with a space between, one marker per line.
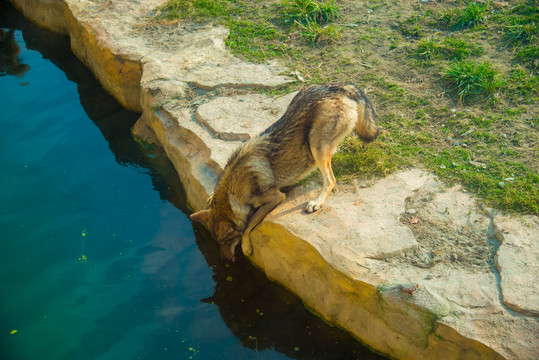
pixel 222 230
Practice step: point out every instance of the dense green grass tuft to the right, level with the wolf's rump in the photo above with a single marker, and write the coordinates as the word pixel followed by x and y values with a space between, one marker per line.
pixel 473 79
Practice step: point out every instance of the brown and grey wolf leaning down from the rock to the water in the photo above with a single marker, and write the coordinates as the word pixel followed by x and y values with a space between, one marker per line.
pixel 305 137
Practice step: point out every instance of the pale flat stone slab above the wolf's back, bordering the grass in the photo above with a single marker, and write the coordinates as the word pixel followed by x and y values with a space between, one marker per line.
pixel 197 55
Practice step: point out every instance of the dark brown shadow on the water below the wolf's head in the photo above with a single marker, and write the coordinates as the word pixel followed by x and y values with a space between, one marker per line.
pixel 264 315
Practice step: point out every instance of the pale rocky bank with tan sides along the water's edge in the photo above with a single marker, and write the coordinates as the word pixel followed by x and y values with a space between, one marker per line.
pixel 414 270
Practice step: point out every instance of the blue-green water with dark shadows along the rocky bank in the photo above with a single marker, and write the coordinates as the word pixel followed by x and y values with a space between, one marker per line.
pixel 97 257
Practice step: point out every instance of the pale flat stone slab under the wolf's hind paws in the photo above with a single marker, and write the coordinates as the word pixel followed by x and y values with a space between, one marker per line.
pixel 377 231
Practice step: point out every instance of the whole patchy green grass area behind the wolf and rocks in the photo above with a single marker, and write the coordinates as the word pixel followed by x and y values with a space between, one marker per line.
pixel 455 84
